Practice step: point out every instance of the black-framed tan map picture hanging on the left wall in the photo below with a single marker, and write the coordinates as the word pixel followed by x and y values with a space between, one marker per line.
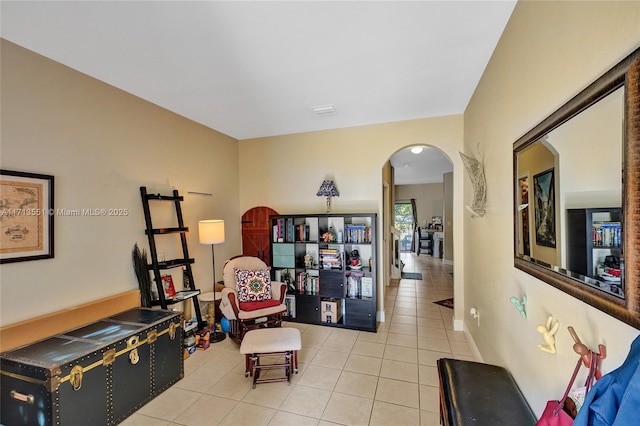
pixel 26 216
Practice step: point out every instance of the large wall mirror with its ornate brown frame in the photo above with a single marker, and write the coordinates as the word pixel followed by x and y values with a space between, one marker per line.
pixel 577 195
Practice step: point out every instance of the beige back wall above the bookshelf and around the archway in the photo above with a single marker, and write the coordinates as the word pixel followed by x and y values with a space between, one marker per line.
pixel 284 172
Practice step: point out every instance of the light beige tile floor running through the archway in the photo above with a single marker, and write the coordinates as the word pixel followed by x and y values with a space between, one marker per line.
pixel 346 377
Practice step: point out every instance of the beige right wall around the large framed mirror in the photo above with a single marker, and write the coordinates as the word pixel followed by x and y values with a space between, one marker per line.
pixel 548 53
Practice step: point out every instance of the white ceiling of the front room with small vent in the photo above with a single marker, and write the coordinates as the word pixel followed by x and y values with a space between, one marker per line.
pixel 255 68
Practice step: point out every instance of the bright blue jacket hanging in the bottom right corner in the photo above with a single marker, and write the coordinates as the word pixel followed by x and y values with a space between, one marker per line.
pixel 615 398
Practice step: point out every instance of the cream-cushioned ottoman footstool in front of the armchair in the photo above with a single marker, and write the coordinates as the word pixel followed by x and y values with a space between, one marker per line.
pixel 272 342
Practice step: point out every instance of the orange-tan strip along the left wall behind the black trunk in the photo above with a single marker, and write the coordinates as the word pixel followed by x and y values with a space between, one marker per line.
pixel 34 329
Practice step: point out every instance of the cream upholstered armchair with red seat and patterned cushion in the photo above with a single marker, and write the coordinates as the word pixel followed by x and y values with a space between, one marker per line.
pixel 250 299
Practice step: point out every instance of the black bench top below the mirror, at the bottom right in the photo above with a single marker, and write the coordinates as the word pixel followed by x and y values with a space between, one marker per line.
pixel 474 393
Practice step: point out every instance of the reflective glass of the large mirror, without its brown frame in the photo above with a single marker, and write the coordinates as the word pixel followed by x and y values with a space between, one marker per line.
pixel 570 190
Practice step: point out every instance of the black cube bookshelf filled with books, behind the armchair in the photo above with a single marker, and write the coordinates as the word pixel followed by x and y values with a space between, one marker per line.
pixel 330 261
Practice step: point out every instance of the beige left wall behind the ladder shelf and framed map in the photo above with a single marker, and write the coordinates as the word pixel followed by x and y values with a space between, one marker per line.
pixel 102 144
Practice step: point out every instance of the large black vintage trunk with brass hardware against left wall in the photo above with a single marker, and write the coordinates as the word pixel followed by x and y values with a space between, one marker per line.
pixel 97 374
